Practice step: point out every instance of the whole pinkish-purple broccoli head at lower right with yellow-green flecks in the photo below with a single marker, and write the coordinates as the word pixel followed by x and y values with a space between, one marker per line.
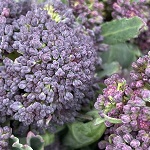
pixel 130 104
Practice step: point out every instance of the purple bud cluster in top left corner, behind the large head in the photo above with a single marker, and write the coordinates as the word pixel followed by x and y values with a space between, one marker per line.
pixel 9 12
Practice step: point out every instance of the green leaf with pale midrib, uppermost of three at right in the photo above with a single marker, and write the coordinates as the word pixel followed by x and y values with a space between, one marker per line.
pixel 121 30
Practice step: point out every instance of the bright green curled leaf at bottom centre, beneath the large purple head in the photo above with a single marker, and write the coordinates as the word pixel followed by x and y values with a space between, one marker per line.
pixel 83 134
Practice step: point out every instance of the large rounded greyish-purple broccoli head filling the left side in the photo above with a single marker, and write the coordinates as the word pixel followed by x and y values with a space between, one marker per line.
pixel 54 74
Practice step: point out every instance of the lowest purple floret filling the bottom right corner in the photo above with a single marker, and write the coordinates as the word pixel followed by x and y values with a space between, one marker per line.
pixel 130 140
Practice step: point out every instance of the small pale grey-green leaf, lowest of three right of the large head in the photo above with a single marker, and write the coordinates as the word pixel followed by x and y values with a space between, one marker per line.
pixel 109 69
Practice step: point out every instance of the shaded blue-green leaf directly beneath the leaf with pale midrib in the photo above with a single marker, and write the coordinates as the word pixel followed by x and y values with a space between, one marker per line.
pixel 124 53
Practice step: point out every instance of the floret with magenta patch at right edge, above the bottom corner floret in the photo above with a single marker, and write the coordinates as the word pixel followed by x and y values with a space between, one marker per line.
pixel 138 112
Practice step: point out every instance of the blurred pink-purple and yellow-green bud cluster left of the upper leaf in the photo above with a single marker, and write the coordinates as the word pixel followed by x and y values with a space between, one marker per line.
pixel 90 14
